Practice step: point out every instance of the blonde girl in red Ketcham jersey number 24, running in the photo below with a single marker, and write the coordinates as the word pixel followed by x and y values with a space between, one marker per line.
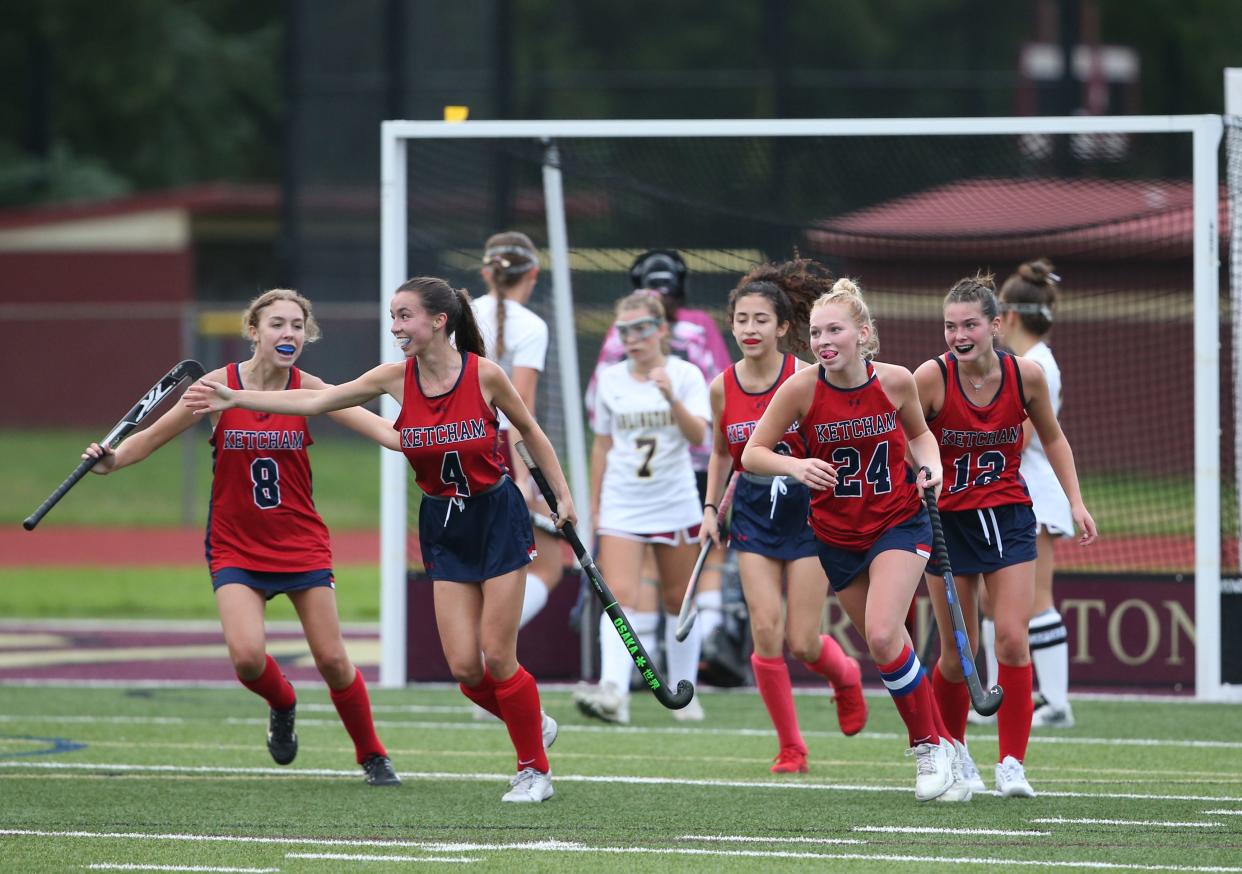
pixel 856 419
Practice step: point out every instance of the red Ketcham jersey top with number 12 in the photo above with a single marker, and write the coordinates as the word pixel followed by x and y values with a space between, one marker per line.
pixel 981 446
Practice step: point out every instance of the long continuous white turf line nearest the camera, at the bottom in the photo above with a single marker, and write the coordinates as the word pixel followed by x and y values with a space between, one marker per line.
pixel 566 847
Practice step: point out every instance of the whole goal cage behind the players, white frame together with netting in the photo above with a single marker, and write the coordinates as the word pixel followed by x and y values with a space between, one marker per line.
pixel 1130 209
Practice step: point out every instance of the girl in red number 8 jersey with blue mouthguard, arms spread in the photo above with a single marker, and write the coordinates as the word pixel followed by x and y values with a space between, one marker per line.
pixel 265 537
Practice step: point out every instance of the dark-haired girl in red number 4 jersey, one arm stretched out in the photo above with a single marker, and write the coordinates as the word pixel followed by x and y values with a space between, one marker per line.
pixel 474 526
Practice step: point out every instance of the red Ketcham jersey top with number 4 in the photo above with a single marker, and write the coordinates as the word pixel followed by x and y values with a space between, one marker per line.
pixel 451 440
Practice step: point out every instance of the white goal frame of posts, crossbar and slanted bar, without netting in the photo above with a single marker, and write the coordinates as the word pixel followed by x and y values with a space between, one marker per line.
pixel 397 137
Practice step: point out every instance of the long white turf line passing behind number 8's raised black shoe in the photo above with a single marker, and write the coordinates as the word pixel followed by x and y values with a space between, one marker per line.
pixel 615 731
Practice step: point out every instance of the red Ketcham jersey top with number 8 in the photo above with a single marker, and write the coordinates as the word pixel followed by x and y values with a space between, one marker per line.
pixel 263 516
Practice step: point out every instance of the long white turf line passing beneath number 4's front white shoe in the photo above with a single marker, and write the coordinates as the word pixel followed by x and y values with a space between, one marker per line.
pixel 445 777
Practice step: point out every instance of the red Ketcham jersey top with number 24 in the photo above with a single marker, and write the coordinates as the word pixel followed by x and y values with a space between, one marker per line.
pixel 860 434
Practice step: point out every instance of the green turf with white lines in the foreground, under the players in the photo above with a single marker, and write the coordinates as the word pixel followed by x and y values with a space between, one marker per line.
pixel 110 778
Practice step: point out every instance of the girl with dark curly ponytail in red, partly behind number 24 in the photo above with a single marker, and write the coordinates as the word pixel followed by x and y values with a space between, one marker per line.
pixel 769 311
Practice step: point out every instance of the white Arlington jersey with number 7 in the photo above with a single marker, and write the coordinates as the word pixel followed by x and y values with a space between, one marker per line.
pixel 649 482
